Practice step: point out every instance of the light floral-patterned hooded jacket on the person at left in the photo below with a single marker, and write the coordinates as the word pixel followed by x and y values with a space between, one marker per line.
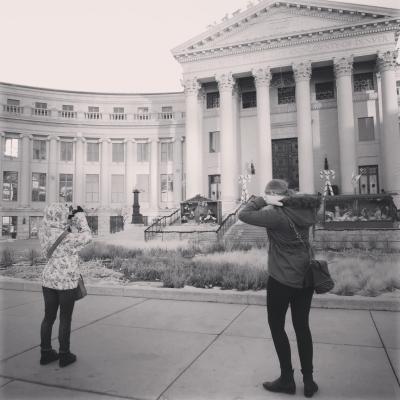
pixel 62 269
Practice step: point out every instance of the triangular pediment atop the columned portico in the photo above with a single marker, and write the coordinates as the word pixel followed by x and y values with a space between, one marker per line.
pixel 276 23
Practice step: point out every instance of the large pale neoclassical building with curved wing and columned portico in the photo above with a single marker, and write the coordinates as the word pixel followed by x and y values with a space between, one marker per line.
pixel 270 91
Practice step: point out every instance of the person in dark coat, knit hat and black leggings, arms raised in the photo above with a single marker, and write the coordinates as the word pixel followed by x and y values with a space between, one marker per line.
pixel 283 213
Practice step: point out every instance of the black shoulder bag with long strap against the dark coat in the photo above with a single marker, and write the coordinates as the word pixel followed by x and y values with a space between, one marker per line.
pixel 317 274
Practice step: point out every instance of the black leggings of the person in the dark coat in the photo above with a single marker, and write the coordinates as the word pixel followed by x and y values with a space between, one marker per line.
pixel 279 297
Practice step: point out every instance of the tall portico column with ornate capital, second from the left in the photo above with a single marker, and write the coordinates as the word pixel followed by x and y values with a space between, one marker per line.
pixel 229 182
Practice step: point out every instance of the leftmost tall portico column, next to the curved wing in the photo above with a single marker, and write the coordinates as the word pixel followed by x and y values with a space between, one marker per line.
pixel 194 148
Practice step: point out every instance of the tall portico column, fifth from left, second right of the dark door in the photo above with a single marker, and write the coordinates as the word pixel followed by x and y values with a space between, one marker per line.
pixel 347 142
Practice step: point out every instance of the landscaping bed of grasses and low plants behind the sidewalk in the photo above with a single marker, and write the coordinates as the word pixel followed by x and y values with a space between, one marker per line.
pixel 242 267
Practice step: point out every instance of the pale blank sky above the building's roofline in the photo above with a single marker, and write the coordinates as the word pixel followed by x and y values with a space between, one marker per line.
pixel 106 45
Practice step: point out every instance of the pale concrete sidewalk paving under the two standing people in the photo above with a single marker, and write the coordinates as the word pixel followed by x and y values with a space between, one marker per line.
pixel 143 348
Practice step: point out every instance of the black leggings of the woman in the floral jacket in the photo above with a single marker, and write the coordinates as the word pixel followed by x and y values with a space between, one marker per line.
pixel 65 299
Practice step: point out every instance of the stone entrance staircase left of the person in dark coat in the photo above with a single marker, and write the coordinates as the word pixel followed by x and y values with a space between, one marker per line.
pixel 241 233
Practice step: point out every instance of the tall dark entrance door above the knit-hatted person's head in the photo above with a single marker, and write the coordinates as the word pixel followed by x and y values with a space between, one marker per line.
pixel 285 161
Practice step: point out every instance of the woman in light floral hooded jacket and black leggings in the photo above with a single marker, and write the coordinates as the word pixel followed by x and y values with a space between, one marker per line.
pixel 60 277
